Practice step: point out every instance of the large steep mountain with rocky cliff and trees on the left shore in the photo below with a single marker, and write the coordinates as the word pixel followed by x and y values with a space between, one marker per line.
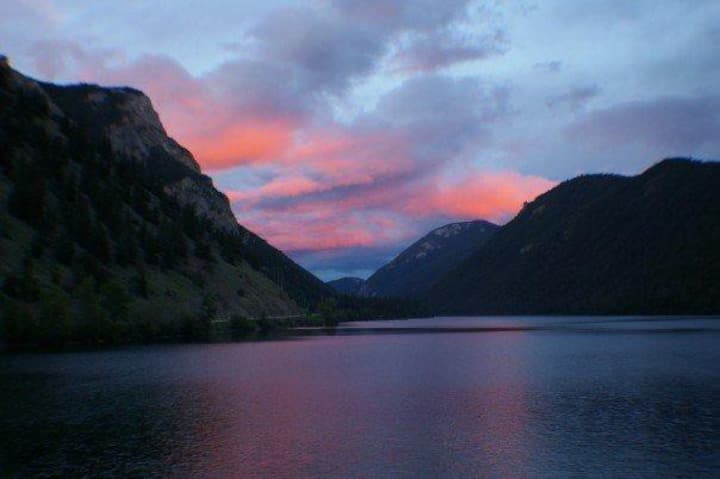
pixel 109 229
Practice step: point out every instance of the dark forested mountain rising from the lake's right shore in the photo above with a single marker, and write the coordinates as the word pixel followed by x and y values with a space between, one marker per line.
pixel 601 244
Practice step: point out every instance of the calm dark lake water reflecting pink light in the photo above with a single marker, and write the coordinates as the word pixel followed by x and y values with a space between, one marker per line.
pixel 445 397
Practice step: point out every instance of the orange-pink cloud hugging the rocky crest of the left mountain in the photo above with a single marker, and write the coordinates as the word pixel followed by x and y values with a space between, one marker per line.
pixel 219 133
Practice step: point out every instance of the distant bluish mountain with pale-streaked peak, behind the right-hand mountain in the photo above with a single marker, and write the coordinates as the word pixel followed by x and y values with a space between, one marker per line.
pixel 414 270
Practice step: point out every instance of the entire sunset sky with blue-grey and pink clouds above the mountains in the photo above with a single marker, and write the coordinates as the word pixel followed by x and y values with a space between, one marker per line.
pixel 341 130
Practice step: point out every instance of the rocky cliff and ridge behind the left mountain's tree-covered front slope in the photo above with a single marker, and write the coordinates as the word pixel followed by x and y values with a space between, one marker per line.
pixel 125 117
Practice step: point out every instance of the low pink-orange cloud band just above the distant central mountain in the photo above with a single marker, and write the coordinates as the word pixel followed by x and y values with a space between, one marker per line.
pixel 373 214
